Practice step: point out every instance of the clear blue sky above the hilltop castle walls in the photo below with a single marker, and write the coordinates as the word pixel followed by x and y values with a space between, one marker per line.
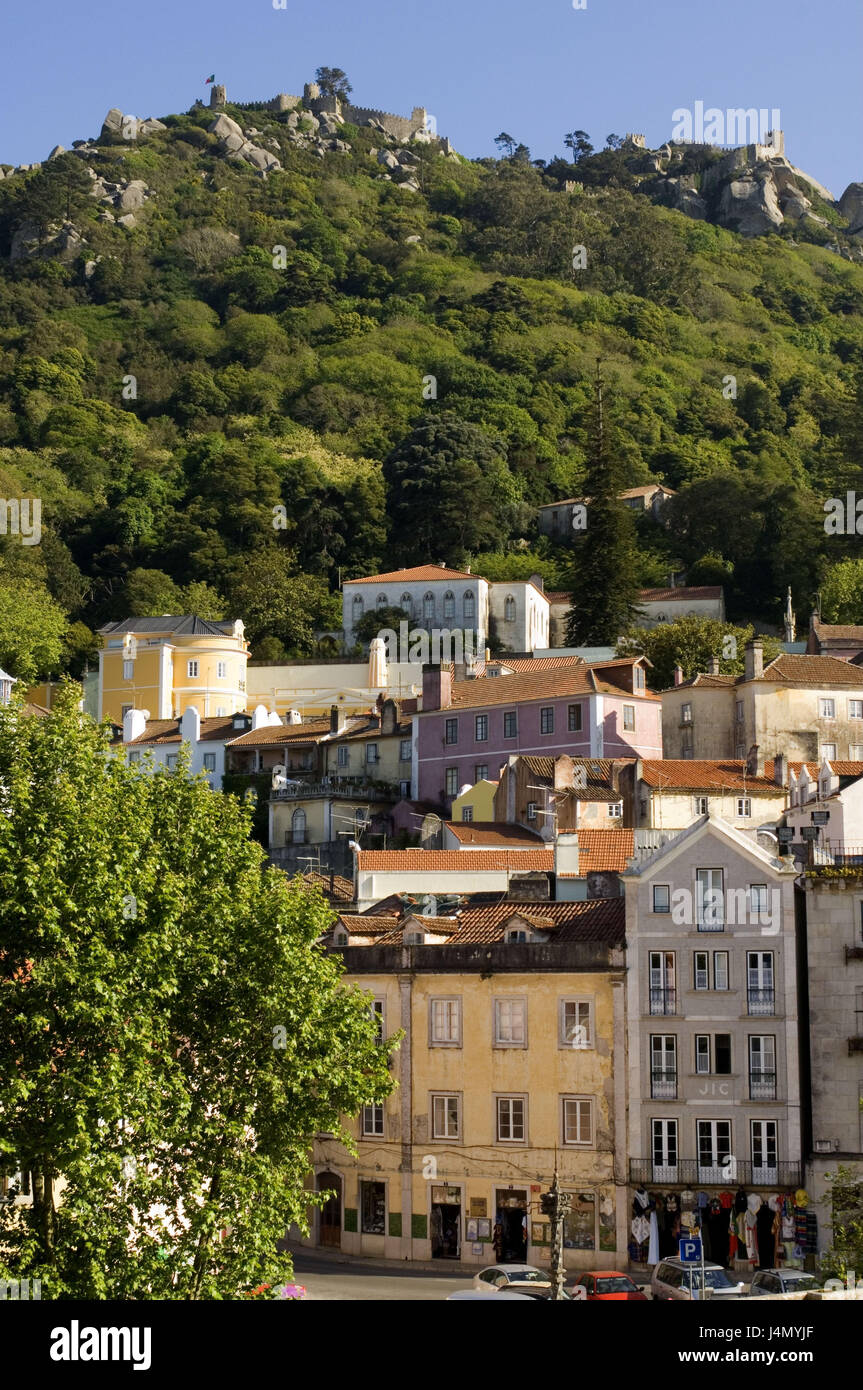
pixel 537 69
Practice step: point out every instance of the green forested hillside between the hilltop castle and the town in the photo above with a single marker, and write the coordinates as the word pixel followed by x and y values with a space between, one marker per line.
pixel 408 373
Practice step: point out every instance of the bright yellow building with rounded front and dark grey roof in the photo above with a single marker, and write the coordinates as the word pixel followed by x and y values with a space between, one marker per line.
pixel 166 664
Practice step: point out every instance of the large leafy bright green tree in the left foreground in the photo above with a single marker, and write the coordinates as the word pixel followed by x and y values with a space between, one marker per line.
pixel 172 1038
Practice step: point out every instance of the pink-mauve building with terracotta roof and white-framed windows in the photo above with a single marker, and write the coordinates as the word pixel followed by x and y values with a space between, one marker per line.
pixel 468 730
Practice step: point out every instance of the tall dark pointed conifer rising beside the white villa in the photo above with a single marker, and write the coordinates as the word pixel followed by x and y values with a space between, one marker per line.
pixel 601 573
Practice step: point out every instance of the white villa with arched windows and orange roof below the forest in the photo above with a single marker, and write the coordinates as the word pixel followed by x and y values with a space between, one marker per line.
pixel 434 597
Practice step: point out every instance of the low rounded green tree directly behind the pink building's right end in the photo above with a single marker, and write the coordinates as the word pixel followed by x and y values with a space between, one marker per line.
pixel 693 641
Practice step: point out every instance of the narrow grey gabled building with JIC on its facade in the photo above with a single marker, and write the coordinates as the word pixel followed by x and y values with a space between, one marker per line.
pixel 715 1079
